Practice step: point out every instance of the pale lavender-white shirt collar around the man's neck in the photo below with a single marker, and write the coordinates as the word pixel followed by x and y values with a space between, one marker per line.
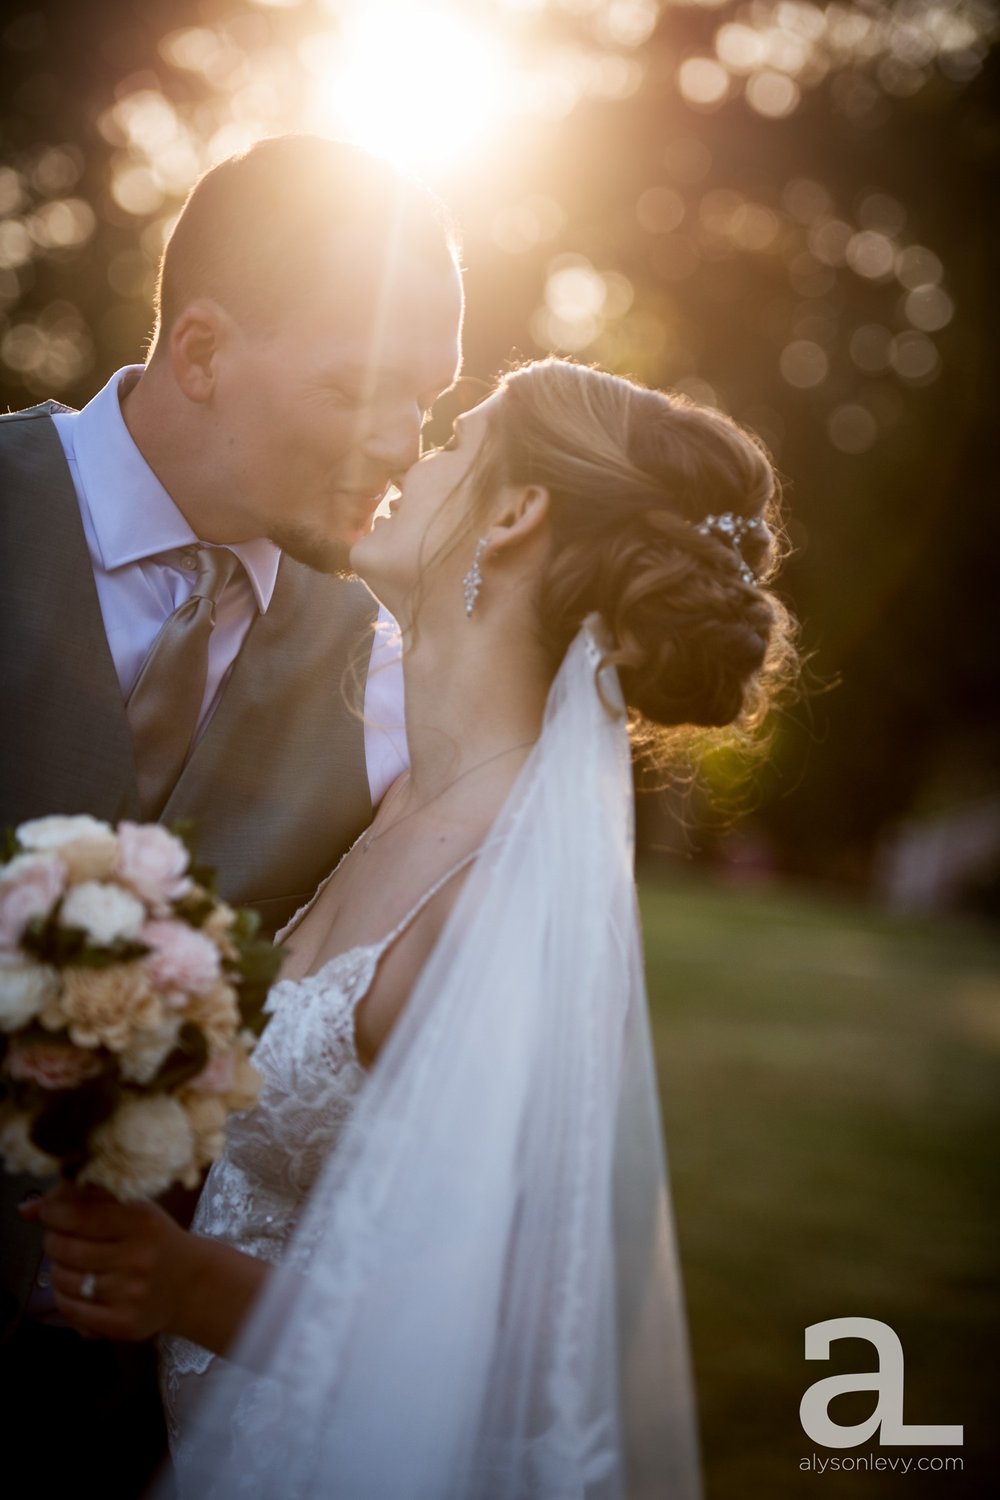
pixel 133 514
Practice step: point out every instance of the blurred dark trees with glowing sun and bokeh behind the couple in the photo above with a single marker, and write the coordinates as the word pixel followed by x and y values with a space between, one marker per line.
pixel 777 206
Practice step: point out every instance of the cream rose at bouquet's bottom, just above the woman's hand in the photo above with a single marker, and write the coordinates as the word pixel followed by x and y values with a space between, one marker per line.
pixel 145 1147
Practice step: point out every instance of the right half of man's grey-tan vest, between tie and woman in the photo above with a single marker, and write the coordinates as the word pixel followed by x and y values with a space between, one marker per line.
pixel 278 782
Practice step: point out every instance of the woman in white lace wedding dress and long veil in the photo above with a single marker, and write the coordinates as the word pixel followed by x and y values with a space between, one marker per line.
pixel 439 1256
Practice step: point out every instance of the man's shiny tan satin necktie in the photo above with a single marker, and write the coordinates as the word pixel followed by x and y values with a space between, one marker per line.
pixel 166 700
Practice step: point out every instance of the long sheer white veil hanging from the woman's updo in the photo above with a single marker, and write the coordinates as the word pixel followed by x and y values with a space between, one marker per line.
pixel 484 1297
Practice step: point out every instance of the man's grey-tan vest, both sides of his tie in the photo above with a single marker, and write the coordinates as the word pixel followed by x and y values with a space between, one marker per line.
pixel 278 784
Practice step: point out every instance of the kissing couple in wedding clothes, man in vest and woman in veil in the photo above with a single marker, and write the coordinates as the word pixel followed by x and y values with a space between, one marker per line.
pixel 437 1259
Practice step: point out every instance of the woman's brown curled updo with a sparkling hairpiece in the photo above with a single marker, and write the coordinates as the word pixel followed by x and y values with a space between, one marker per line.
pixel 630 473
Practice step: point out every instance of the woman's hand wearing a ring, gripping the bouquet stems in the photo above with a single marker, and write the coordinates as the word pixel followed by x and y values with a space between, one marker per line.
pixel 119 1270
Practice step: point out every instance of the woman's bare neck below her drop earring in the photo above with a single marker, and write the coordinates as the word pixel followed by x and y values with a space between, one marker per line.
pixel 469 701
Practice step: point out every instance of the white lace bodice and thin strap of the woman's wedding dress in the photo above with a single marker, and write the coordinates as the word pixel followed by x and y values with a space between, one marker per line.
pixel 274 1154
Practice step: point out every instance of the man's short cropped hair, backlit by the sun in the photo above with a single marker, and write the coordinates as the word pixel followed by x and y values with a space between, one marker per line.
pixel 256 232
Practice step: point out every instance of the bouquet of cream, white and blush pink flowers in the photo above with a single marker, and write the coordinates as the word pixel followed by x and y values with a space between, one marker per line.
pixel 131 998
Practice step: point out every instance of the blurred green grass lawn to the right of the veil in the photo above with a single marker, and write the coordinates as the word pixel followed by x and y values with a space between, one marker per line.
pixel 831 1091
